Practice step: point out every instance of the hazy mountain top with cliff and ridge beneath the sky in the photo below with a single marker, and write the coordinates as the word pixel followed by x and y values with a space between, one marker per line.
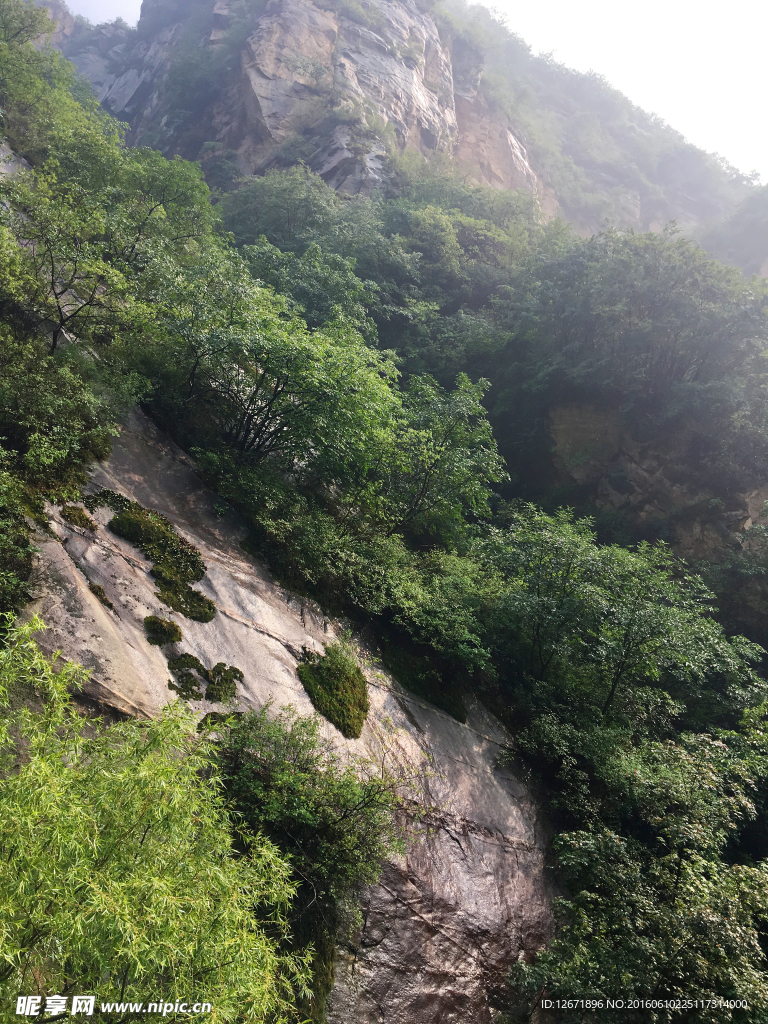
pixel 247 84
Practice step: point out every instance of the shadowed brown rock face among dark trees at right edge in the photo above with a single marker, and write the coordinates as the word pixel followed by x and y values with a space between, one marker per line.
pixel 651 486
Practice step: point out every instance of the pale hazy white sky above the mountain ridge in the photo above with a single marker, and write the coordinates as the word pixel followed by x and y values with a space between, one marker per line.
pixel 701 67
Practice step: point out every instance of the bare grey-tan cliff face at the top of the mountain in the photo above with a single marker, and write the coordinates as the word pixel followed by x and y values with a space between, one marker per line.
pixel 386 68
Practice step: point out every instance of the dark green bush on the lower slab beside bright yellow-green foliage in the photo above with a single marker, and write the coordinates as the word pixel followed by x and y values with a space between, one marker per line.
pixel 334 819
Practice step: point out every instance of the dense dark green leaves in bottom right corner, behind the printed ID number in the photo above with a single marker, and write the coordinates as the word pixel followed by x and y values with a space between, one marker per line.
pixel 654 929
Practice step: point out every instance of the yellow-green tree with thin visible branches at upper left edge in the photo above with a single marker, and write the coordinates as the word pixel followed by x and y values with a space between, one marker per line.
pixel 86 251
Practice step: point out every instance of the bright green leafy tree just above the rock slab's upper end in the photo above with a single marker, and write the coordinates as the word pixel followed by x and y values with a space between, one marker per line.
pixel 276 393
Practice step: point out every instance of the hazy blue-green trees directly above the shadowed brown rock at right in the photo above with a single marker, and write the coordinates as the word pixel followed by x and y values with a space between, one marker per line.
pixel 647 325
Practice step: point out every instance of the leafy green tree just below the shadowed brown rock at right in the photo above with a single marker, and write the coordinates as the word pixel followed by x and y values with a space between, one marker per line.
pixel 602 624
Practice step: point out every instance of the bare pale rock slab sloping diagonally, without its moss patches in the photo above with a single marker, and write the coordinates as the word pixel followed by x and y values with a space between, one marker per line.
pixel 470 897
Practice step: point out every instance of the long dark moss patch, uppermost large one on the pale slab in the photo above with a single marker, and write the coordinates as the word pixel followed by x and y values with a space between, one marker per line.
pixel 177 564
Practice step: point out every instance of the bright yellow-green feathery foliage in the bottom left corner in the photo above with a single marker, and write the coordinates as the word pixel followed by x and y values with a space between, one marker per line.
pixel 119 876
